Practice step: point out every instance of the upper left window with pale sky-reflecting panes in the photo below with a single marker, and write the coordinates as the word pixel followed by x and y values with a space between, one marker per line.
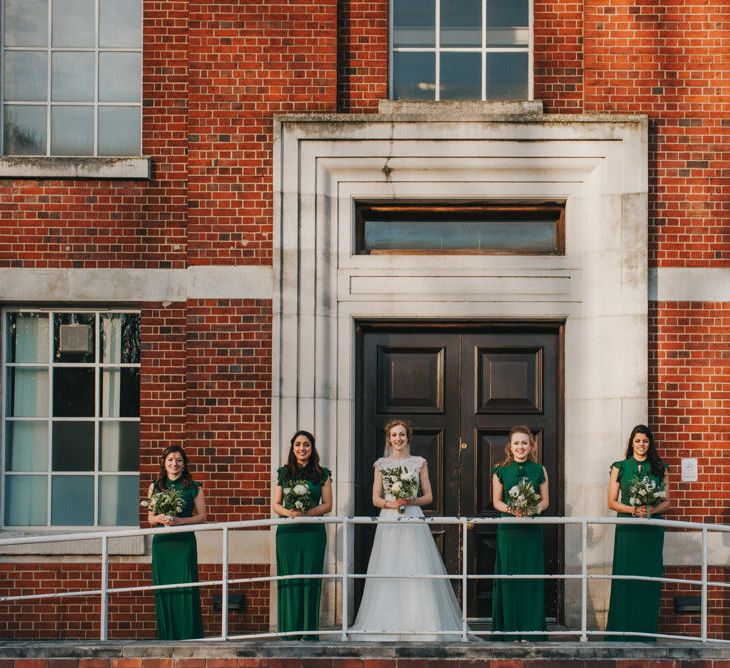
pixel 72 77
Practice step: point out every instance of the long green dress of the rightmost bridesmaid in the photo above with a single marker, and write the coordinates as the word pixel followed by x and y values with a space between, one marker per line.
pixel 637 550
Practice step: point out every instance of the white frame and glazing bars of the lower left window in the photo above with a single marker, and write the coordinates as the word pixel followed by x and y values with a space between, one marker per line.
pixel 98 420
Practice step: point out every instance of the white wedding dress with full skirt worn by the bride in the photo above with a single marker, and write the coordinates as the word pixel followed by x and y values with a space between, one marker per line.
pixel 392 607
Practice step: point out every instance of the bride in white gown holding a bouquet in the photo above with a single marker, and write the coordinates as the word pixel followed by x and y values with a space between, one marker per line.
pixel 392 607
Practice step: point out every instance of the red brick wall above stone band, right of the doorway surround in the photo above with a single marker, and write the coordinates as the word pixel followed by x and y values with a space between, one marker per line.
pixel 668 60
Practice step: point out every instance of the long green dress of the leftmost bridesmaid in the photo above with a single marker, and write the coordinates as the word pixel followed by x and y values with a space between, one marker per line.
pixel 175 559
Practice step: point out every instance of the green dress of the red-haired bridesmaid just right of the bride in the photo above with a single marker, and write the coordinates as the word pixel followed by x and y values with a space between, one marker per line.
pixel 519 605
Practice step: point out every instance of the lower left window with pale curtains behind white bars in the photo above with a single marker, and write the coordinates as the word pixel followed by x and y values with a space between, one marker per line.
pixel 71 418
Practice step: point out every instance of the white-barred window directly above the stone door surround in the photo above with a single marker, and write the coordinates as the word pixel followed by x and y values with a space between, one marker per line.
pixel 460 49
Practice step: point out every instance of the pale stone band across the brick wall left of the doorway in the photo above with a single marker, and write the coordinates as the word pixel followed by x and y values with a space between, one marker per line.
pixel 106 286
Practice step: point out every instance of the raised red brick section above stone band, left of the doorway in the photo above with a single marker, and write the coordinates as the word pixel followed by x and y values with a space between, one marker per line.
pixel 248 61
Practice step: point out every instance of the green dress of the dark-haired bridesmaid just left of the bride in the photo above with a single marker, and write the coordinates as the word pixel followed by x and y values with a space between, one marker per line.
pixel 300 550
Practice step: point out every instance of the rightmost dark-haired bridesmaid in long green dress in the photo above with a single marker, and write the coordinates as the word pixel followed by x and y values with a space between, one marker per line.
pixel 638 550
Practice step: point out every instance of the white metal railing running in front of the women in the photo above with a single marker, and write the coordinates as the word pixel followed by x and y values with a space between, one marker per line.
pixel 346 578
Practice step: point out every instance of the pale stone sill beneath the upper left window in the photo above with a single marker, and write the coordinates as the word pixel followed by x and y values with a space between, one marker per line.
pixel 28 167
